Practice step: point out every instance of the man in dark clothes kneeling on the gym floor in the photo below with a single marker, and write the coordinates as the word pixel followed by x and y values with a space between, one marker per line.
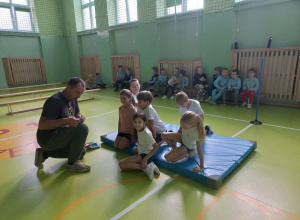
pixel 61 132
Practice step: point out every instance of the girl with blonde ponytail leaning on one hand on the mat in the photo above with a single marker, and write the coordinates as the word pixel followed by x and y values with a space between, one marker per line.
pixel 193 134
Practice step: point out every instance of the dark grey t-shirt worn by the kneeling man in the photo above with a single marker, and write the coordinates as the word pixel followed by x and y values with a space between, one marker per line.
pixel 57 107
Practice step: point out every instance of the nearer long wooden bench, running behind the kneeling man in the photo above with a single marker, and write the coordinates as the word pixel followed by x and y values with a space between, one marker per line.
pixel 10 104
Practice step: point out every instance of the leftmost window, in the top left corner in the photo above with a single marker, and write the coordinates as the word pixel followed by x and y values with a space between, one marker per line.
pixel 15 15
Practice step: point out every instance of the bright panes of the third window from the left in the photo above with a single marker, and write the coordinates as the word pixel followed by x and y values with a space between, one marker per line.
pixel 126 11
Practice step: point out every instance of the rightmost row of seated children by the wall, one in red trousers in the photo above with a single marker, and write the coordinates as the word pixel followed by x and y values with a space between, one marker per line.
pixel 223 85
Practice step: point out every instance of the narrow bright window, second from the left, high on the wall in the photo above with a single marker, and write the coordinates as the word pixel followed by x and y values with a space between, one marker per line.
pixel 88 14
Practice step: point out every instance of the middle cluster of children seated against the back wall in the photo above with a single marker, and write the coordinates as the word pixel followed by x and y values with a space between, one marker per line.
pixel 176 83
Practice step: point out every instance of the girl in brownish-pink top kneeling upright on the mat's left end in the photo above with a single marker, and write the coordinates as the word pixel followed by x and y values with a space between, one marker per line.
pixel 125 127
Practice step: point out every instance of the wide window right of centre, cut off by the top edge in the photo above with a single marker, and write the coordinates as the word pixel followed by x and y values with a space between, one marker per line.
pixel 177 6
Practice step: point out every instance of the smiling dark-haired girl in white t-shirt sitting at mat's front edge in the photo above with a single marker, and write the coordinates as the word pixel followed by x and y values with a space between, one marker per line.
pixel 146 148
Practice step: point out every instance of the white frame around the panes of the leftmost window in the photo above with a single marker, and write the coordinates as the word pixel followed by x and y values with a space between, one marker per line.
pixel 13 8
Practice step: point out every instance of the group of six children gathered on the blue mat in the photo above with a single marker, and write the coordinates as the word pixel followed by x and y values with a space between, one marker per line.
pixel 138 121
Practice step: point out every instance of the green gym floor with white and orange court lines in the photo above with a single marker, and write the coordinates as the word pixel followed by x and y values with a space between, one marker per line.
pixel 265 186
